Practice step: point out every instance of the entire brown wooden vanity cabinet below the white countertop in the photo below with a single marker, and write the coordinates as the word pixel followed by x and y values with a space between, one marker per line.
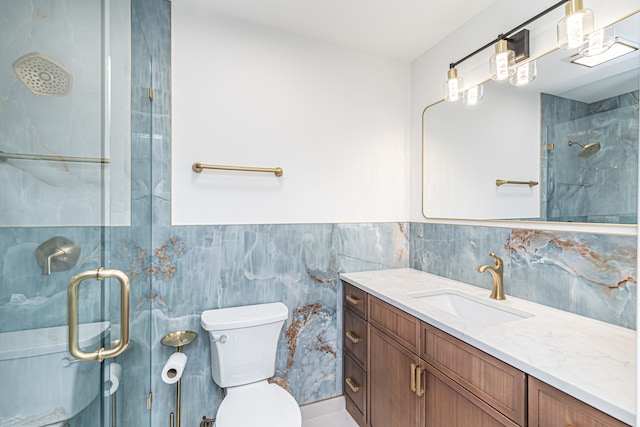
pixel 412 374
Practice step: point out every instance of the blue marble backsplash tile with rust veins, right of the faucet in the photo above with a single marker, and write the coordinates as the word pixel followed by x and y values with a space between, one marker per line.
pixel 589 274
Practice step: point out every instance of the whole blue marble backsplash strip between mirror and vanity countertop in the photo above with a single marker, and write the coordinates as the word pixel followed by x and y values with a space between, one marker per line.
pixel 594 275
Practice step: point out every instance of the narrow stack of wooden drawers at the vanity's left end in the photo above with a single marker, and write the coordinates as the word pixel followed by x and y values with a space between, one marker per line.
pixel 354 338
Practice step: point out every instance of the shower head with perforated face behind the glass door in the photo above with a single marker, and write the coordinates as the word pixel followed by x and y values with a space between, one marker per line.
pixel 43 75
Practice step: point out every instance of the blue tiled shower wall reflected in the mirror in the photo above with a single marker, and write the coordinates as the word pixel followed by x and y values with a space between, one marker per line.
pixel 602 187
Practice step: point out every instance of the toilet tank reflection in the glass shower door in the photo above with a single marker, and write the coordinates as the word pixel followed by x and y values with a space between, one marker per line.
pixel 43 384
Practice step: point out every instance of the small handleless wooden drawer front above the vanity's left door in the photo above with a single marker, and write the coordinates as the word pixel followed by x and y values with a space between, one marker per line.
pixel 402 327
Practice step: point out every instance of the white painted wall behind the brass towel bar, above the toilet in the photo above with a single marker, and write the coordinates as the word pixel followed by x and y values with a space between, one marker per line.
pixel 334 119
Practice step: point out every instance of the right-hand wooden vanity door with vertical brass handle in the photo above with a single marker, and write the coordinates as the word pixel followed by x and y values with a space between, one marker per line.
pixel 449 404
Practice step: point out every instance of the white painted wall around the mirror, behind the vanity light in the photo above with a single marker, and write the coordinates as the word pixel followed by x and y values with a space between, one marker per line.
pixel 429 71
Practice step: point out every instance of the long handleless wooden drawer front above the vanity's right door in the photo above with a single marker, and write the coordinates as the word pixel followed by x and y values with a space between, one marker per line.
pixel 500 385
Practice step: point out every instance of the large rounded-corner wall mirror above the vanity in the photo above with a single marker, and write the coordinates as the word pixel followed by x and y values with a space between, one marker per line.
pixel 567 144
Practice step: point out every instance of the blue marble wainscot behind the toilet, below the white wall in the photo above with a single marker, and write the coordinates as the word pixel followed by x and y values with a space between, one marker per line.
pixel 205 267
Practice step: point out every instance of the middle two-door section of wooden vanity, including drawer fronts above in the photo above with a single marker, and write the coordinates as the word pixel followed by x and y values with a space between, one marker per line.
pixel 438 397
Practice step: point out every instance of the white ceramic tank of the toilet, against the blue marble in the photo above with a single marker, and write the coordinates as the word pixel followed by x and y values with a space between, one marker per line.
pixel 243 342
